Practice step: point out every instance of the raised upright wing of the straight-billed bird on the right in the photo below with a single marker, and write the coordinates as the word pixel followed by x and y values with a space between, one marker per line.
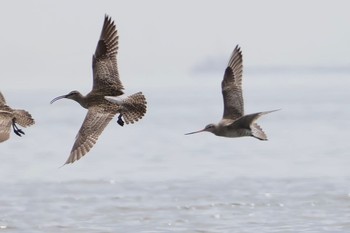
pixel 232 86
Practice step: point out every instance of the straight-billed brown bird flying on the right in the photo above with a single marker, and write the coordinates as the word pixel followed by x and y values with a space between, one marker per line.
pixel 234 123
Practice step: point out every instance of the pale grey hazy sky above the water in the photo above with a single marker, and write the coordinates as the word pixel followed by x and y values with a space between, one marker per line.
pixel 49 44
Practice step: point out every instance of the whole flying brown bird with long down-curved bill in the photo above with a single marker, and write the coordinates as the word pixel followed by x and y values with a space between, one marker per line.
pixel 106 82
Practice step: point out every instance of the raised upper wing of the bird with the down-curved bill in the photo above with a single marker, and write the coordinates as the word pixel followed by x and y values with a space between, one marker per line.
pixel 104 62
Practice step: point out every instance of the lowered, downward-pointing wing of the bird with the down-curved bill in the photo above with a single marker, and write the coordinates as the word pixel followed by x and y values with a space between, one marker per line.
pixel 95 121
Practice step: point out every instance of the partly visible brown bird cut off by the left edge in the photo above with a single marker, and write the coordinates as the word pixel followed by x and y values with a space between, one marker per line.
pixel 9 116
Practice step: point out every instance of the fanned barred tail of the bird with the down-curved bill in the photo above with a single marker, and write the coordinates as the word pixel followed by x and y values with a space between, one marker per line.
pixel 134 107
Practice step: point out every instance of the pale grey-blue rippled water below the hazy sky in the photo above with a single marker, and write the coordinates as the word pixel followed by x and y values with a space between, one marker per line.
pixel 149 177
